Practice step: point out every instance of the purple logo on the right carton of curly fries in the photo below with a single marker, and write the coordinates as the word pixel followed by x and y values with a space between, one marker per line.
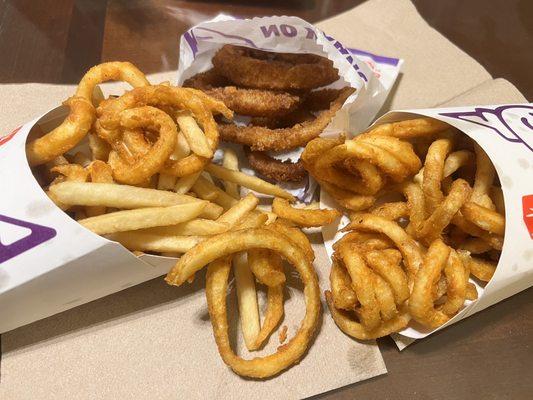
pixel 513 122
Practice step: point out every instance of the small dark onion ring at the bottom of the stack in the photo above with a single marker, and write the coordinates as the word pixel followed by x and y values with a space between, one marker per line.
pixel 277 170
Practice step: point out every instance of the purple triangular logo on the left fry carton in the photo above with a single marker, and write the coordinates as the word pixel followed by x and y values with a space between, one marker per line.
pixel 38 235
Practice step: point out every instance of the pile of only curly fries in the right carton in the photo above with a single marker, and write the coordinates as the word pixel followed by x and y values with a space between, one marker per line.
pixel 410 256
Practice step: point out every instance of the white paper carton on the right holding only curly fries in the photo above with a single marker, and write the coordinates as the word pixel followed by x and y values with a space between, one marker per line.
pixel 505 132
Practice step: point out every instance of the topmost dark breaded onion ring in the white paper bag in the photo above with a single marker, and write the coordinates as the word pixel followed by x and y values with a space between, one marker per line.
pixel 278 71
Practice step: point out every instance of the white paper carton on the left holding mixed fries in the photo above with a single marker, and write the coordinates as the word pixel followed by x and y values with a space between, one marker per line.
pixel 48 262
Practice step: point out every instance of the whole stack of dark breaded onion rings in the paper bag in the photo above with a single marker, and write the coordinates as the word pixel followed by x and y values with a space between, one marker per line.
pixel 275 90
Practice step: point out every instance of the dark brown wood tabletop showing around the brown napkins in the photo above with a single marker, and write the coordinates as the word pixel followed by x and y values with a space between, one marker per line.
pixel 487 356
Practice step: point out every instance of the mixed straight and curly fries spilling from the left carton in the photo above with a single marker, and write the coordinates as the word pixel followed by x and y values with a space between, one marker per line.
pixel 145 179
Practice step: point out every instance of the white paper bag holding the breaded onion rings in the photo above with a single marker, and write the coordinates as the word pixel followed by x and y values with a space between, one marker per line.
pixel 373 76
